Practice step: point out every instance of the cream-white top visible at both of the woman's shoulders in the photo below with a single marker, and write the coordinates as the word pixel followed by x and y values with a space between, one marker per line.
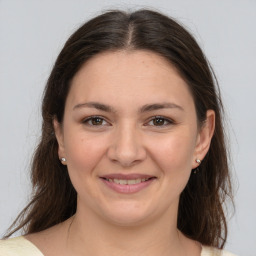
pixel 20 246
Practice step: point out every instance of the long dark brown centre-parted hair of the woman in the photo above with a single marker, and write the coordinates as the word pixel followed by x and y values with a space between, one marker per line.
pixel 200 213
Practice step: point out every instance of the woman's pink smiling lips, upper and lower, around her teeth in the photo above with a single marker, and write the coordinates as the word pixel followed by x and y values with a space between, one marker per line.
pixel 127 188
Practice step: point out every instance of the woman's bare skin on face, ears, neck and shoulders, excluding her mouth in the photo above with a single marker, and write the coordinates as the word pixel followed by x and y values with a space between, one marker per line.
pixel 128 138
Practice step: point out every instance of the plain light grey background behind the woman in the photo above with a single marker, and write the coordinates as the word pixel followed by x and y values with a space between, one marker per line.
pixel 32 33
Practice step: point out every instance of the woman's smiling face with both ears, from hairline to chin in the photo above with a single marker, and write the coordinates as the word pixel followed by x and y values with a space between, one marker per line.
pixel 130 136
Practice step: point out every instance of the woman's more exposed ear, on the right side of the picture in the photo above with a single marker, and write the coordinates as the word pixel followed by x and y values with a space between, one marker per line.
pixel 204 138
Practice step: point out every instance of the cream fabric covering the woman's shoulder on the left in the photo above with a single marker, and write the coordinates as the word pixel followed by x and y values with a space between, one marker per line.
pixel 18 246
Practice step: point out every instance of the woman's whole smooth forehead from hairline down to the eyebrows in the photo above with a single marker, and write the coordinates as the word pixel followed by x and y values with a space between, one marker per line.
pixel 130 75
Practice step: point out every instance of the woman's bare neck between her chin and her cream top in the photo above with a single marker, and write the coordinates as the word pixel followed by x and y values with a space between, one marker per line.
pixel 91 235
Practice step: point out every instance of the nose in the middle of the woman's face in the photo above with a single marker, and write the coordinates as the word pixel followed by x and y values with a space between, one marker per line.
pixel 127 148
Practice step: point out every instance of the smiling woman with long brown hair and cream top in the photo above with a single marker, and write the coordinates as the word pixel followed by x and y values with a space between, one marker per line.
pixel 132 159
